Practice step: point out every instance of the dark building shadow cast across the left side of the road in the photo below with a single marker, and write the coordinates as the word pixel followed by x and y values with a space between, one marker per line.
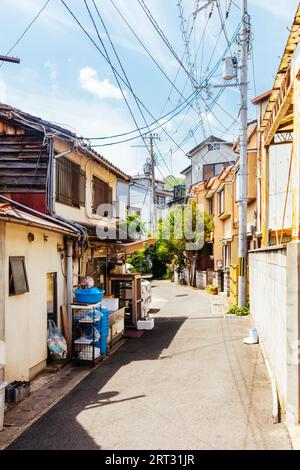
pixel 59 429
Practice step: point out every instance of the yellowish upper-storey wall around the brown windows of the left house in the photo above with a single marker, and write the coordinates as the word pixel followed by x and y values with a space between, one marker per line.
pixel 92 168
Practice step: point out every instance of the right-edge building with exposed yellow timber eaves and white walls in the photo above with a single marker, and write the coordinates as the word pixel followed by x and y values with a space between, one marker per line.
pixel 274 268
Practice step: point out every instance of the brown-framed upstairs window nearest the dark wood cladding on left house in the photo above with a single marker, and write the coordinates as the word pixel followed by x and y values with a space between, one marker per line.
pixel 70 181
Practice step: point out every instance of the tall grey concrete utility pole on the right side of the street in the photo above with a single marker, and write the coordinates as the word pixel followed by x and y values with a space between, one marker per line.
pixel 243 170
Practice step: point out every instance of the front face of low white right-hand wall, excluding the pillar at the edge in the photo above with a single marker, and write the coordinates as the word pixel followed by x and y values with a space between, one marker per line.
pixel 268 301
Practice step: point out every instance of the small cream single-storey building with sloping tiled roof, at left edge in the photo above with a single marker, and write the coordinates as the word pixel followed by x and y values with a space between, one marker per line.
pixel 33 286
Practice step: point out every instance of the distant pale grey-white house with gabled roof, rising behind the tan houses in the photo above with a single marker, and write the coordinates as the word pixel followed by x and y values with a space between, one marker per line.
pixel 207 160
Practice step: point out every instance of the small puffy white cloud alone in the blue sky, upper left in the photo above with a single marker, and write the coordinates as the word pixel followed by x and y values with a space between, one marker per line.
pixel 89 81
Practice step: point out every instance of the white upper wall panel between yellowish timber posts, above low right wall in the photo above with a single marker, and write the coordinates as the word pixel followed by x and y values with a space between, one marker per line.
pixel 279 161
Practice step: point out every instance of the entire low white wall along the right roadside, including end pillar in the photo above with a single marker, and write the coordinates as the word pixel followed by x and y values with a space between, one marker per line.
pixel 274 300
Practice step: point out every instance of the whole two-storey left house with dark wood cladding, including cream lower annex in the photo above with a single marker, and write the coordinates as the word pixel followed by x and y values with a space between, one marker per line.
pixel 50 170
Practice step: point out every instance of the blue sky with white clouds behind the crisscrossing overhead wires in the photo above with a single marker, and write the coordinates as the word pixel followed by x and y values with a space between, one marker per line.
pixel 63 78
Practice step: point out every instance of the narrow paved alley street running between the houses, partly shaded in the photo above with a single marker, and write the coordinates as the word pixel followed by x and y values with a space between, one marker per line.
pixel 190 383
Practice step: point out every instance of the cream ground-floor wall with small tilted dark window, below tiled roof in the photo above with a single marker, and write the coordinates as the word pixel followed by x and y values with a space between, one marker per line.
pixel 26 314
